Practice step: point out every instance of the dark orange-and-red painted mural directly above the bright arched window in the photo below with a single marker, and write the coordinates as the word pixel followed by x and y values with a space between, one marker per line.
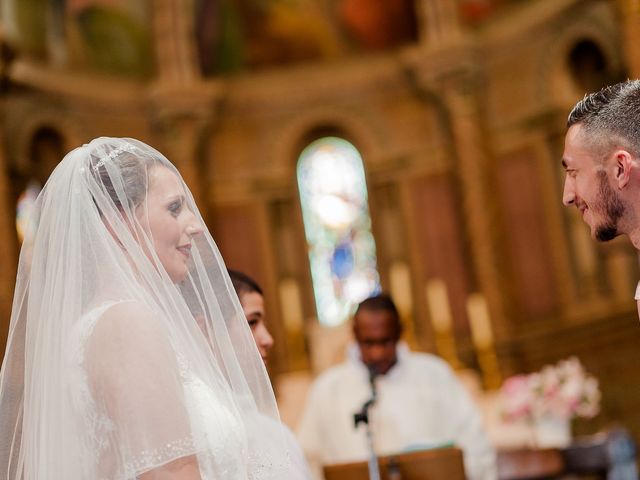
pixel 236 35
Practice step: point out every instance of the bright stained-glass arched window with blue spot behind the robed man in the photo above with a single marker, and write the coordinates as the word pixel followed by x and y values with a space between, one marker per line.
pixel 342 252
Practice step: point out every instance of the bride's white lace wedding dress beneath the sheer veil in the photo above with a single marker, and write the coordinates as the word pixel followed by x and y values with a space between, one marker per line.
pixel 215 432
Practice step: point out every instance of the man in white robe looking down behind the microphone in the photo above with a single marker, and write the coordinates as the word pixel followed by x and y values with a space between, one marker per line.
pixel 420 403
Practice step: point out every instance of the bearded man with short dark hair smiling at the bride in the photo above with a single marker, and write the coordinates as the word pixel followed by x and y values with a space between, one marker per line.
pixel 602 162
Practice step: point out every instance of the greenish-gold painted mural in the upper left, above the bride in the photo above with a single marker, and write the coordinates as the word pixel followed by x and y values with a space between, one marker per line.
pixel 110 36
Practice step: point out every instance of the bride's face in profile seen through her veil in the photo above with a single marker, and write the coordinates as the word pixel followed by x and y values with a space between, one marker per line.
pixel 169 222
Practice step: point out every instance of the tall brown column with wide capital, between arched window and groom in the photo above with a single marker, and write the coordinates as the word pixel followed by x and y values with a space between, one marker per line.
pixel 444 71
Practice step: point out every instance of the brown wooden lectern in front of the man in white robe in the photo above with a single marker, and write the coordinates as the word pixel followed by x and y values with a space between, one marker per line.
pixel 436 464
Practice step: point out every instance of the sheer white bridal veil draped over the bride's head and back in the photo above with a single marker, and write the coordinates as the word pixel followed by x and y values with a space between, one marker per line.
pixel 111 368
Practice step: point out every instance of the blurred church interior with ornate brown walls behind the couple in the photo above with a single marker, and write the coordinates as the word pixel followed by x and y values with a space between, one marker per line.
pixel 445 123
